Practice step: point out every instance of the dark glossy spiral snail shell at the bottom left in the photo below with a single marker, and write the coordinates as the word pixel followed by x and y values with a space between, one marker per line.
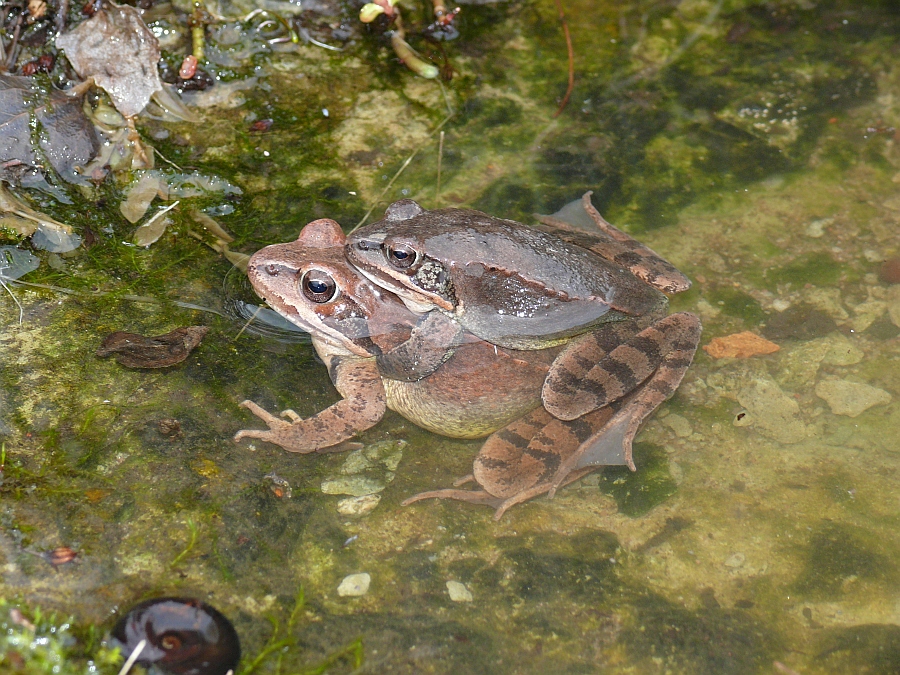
pixel 184 637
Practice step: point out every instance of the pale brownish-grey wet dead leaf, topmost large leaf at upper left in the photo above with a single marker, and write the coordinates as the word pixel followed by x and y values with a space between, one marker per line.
pixel 117 50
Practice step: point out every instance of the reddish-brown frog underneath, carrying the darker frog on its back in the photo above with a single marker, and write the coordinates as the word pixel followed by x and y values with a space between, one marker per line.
pixel 477 389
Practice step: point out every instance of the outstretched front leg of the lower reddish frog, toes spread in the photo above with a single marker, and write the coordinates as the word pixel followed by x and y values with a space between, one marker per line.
pixel 362 406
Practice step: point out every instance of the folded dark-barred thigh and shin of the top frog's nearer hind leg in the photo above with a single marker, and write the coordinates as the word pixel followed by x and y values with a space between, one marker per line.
pixel 658 355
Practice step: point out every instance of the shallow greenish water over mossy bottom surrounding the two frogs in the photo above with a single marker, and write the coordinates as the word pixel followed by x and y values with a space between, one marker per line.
pixel 752 144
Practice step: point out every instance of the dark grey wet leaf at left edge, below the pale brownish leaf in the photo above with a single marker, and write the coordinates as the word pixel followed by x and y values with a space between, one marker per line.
pixel 66 141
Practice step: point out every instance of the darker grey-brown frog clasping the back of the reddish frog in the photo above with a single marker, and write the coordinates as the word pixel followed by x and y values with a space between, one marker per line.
pixel 599 292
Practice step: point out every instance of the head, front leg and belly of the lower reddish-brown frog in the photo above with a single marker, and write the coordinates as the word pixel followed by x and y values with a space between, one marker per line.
pixel 360 324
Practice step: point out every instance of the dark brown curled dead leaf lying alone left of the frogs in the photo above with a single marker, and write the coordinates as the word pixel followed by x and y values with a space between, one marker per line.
pixel 161 351
